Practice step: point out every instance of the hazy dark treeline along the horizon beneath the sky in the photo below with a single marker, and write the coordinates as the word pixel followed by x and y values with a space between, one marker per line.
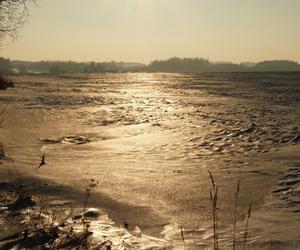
pixel 173 64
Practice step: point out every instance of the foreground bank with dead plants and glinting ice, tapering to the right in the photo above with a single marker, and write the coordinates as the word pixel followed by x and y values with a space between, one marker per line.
pixel 44 221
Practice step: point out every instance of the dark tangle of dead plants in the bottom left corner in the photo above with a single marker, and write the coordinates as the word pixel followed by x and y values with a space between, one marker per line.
pixel 36 223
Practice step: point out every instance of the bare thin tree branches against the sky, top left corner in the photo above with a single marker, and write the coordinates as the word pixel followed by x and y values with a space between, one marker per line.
pixel 13 14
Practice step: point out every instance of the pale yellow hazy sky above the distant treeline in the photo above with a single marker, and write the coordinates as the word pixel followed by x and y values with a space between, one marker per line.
pixel 143 30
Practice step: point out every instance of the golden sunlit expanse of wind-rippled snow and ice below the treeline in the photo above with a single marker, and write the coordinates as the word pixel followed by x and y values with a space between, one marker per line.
pixel 150 139
